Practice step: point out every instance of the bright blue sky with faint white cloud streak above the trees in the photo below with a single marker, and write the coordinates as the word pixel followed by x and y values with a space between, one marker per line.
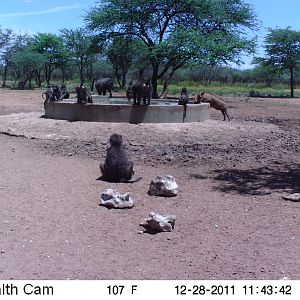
pixel 34 16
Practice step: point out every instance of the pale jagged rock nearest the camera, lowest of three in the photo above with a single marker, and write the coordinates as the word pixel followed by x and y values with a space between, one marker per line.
pixel 158 223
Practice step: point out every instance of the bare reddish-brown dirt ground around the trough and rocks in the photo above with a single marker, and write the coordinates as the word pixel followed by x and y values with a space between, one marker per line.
pixel 232 222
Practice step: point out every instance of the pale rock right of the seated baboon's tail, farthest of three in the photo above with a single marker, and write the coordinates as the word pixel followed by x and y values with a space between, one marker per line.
pixel 163 186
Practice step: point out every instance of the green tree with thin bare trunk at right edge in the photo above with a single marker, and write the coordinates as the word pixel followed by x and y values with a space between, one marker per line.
pixel 282 47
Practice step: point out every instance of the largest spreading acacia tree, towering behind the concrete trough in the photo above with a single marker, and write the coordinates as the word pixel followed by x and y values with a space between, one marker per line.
pixel 179 31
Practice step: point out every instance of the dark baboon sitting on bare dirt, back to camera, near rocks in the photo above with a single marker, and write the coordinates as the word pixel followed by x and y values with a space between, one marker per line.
pixel 117 167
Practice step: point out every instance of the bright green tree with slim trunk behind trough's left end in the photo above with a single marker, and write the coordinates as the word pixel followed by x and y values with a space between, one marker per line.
pixel 52 47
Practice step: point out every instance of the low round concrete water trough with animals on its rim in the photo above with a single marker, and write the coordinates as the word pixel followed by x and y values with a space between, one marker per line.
pixel 120 110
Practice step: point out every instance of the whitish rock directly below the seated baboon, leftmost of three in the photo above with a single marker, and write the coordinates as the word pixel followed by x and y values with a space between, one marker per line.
pixel 113 199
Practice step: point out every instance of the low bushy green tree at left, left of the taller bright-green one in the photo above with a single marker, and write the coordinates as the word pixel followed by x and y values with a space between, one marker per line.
pixel 25 64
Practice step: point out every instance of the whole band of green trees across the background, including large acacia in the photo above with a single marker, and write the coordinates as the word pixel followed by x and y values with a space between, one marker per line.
pixel 161 40
